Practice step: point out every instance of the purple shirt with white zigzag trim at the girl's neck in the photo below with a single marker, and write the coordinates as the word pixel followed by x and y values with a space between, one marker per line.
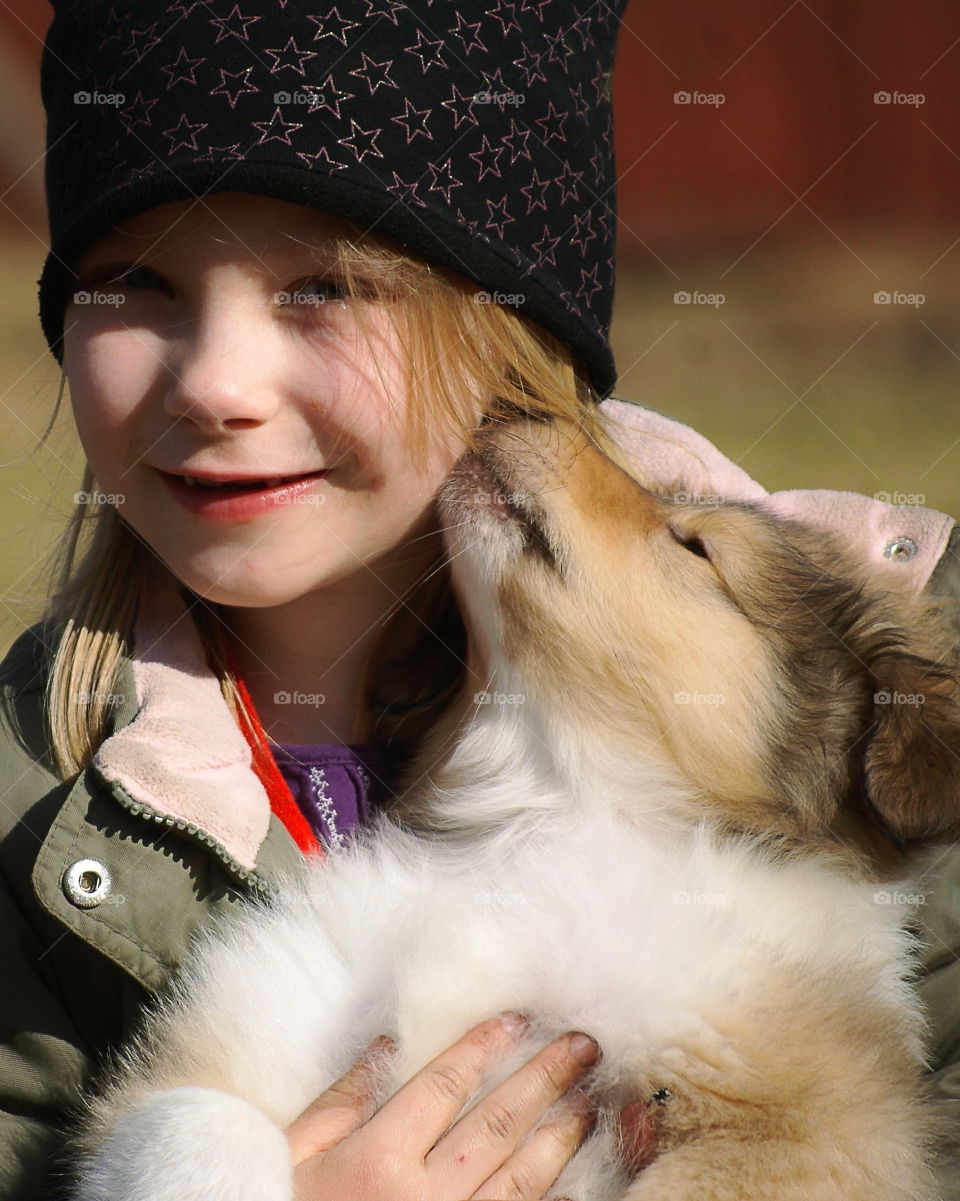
pixel 338 788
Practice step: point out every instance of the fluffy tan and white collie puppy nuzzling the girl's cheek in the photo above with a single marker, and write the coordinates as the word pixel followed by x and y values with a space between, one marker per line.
pixel 678 815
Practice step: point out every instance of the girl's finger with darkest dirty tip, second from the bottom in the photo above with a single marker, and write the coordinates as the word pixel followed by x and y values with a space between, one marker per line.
pixel 485 1138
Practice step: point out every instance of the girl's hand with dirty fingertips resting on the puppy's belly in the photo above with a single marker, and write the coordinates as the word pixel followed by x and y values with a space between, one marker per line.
pixel 409 1151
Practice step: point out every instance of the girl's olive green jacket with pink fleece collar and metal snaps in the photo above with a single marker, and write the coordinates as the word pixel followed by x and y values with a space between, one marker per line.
pixel 106 877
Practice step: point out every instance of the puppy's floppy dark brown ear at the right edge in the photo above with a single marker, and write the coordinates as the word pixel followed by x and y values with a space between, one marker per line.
pixel 913 762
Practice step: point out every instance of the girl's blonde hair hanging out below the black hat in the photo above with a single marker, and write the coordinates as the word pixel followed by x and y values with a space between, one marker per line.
pixel 462 358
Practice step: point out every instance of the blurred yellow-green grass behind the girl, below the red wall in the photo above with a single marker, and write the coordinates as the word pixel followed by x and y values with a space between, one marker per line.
pixel 798 377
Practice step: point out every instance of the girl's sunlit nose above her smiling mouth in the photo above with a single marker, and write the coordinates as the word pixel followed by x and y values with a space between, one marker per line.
pixel 223 367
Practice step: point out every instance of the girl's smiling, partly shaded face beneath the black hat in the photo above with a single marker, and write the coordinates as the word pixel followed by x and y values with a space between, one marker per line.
pixel 228 354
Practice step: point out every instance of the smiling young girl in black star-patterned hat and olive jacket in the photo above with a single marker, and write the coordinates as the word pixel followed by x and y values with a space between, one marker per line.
pixel 297 256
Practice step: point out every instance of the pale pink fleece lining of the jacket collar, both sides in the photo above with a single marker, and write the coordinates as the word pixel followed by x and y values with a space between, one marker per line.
pixel 184 757
